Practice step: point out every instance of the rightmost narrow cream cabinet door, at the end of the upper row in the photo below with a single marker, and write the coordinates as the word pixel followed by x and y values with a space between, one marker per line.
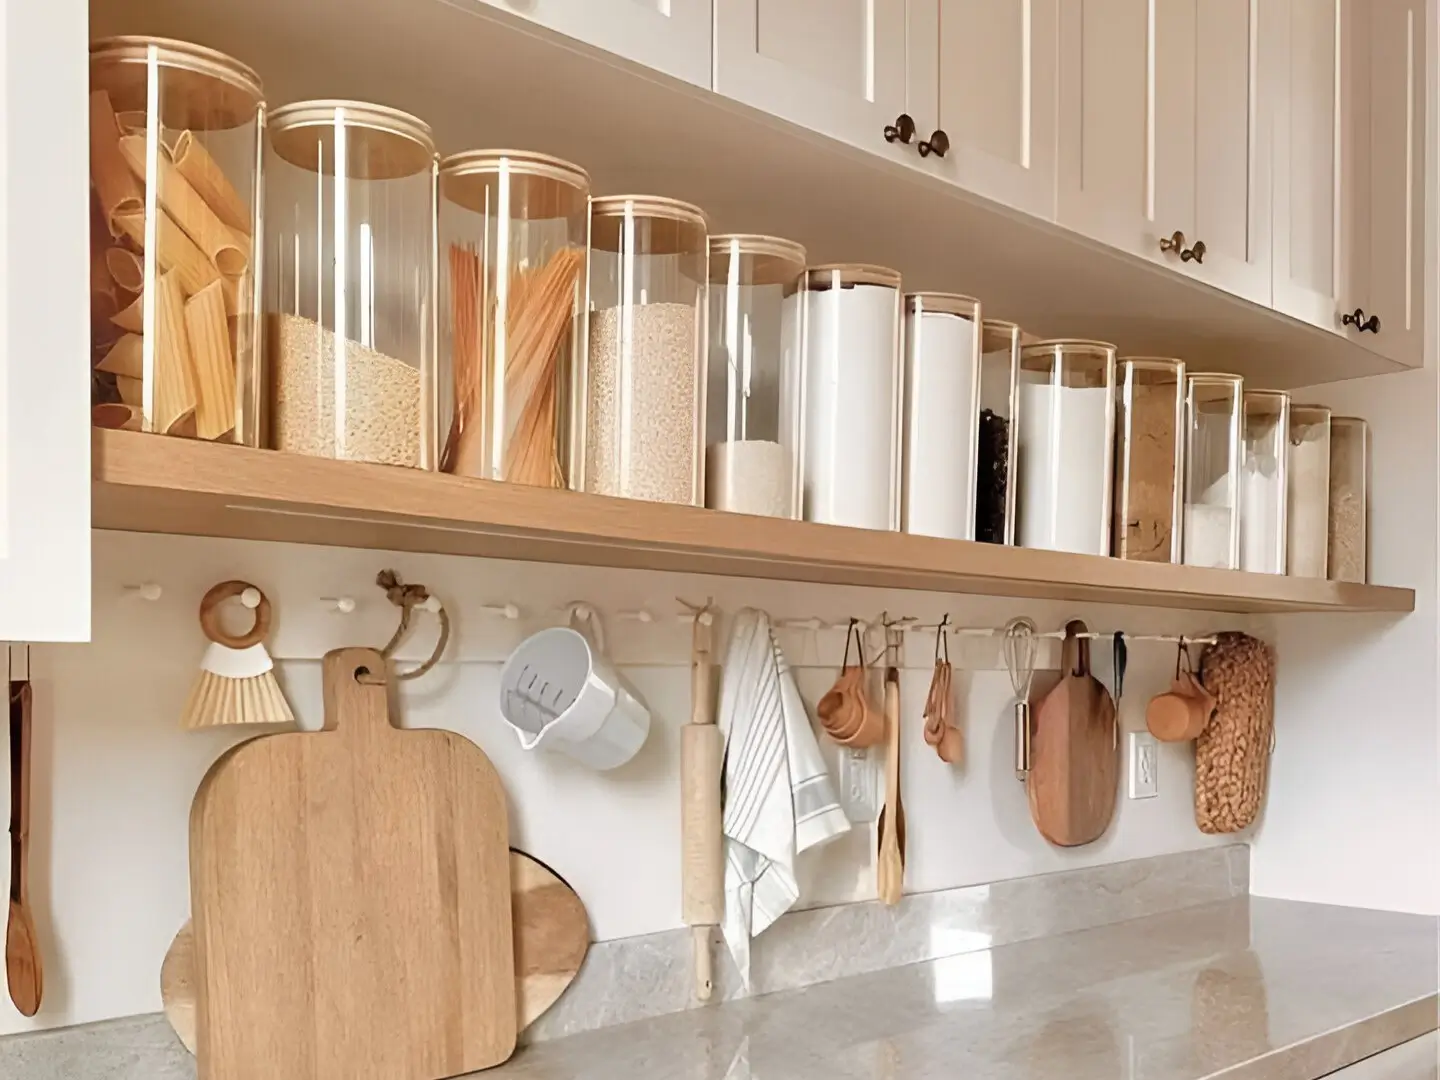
pixel 1390 179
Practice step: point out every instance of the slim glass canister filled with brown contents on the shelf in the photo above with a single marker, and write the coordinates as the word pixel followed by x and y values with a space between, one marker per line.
pixel 1148 489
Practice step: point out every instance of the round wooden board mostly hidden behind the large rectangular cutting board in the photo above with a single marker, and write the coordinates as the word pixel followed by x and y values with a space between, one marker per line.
pixel 549 924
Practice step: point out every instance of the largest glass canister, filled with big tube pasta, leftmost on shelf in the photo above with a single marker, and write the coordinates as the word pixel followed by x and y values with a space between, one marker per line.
pixel 174 307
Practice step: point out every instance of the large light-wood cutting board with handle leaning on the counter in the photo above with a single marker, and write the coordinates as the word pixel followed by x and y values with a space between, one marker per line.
pixel 351 892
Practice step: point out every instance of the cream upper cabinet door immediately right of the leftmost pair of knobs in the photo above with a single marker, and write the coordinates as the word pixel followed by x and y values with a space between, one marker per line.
pixel 984 73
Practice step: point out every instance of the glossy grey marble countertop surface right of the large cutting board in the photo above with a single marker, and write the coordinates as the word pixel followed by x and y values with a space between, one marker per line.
pixel 1249 990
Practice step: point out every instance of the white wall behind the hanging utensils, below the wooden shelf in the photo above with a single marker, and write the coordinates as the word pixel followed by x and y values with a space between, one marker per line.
pixel 114 775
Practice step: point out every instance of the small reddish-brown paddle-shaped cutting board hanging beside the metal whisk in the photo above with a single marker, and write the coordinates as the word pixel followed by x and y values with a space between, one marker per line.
pixel 1075 770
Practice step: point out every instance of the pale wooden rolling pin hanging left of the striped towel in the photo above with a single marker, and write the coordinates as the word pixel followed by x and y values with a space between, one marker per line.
pixel 702 754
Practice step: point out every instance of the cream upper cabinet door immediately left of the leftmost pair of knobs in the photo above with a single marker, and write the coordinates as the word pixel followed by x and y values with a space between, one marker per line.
pixel 837 67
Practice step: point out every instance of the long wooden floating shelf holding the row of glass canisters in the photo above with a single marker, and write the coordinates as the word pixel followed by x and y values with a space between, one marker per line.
pixel 153 485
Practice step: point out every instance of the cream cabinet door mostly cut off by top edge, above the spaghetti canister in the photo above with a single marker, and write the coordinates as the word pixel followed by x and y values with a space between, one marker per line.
pixel 672 37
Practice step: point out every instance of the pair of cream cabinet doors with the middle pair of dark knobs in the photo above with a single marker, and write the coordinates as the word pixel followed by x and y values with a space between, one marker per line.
pixel 1166 136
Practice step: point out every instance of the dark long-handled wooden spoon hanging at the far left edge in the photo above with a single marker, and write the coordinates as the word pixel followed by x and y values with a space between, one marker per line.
pixel 24 968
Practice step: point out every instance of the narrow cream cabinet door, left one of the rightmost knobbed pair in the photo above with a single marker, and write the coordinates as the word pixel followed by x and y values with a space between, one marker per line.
pixel 1314 210
